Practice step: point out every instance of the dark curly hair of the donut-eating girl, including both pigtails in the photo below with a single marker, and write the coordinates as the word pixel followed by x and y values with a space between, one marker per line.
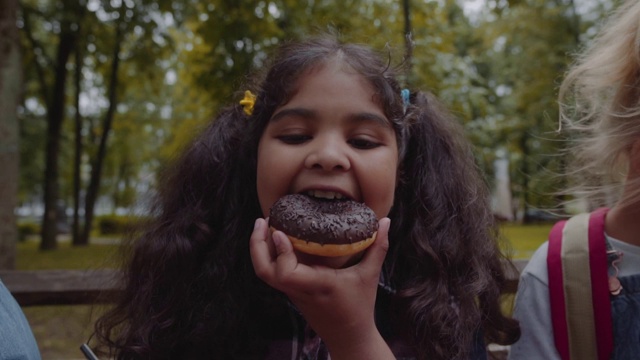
pixel 189 284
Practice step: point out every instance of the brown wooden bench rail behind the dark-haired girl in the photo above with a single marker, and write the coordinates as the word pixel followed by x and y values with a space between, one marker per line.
pixel 77 287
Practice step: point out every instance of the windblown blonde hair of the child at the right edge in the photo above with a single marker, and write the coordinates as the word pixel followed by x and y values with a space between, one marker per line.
pixel 600 105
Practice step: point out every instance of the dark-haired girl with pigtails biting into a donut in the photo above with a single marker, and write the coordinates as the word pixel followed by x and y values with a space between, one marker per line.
pixel 328 122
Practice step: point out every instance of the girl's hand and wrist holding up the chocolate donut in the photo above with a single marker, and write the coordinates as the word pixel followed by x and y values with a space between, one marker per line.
pixel 337 303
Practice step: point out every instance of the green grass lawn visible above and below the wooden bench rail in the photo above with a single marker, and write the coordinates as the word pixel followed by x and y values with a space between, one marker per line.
pixel 60 330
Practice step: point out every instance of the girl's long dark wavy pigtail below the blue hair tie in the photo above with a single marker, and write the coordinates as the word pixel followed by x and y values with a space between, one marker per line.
pixel 445 259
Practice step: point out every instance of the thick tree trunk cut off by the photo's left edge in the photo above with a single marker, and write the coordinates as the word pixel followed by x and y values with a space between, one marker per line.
pixel 10 91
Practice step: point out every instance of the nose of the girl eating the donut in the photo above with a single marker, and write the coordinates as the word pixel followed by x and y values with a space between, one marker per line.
pixel 328 155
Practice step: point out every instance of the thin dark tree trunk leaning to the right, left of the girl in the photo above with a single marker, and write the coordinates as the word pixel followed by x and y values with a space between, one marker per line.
pixel 96 169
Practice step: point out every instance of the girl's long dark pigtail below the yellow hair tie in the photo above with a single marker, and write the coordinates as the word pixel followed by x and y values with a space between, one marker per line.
pixel 178 280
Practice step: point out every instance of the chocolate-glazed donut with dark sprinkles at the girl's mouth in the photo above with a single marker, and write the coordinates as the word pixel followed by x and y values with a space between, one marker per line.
pixel 324 227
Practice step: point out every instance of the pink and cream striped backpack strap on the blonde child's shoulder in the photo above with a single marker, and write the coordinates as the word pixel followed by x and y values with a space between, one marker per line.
pixel 578 288
